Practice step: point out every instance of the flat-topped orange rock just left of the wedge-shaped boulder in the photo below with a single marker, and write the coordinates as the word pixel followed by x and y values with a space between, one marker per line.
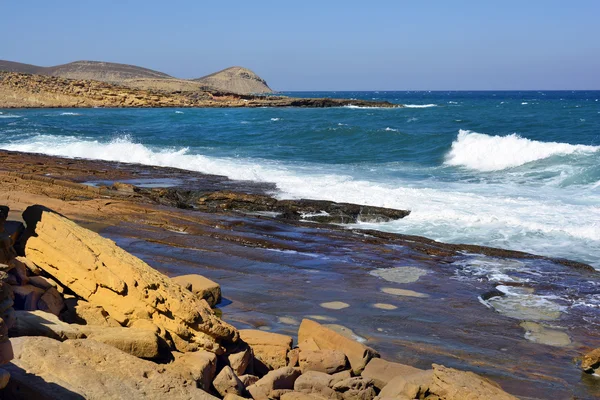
pixel 269 348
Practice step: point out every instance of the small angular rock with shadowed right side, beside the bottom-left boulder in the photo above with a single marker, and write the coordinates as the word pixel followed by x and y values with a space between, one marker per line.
pixel 199 366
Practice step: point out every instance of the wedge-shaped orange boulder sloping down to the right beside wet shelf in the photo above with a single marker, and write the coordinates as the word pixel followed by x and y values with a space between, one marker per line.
pixel 358 354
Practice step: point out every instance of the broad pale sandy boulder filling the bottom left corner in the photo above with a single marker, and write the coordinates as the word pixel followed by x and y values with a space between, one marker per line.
pixel 75 369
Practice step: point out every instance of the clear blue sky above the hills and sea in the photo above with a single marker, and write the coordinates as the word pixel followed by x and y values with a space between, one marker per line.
pixel 323 45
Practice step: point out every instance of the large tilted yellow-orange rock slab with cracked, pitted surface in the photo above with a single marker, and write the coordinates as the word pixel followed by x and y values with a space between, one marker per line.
pixel 127 288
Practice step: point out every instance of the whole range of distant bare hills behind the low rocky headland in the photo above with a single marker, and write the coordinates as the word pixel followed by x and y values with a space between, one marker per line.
pixel 234 80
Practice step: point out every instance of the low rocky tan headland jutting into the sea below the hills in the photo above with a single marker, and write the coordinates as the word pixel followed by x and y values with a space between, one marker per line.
pixel 19 90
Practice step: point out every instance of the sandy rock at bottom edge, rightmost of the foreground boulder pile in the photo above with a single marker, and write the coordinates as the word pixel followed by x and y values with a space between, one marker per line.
pixel 452 384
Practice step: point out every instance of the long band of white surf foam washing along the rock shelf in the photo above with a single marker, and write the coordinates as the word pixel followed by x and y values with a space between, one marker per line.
pixel 545 220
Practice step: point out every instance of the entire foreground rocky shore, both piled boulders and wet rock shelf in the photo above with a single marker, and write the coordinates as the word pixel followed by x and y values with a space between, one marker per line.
pixel 84 318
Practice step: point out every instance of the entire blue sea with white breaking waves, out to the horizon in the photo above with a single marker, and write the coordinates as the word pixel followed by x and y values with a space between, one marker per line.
pixel 513 170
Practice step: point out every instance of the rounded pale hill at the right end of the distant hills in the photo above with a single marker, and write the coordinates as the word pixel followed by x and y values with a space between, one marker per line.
pixel 236 80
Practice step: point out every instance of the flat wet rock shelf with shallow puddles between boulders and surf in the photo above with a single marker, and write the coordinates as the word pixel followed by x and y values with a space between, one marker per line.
pixel 269 268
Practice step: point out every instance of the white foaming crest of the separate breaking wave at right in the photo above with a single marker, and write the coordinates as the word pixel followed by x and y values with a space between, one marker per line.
pixel 483 152
